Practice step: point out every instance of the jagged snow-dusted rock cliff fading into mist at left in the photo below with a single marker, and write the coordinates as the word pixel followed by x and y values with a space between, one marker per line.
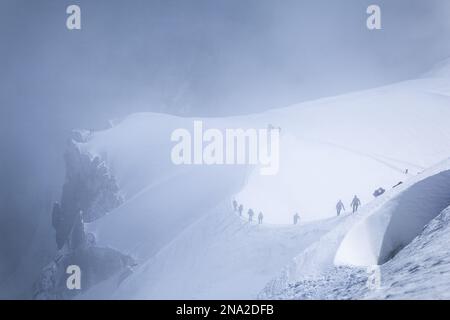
pixel 89 192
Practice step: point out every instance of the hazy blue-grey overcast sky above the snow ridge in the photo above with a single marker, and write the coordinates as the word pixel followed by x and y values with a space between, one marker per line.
pixel 187 57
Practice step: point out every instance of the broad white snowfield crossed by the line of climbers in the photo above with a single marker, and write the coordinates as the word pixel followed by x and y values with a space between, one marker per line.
pixel 179 223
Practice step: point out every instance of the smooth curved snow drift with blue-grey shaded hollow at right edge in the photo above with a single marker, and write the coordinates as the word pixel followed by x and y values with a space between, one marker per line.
pixel 380 235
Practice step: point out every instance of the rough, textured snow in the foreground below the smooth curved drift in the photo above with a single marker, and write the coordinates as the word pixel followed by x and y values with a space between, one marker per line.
pixel 419 271
